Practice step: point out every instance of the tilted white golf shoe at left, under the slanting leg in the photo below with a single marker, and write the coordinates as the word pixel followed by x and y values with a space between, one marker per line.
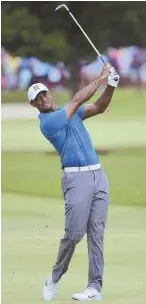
pixel 49 289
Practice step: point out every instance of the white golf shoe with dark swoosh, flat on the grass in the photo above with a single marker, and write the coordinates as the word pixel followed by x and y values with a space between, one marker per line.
pixel 88 294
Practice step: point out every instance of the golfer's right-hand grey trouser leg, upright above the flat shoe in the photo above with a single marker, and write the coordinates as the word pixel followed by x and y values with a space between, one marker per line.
pixel 95 231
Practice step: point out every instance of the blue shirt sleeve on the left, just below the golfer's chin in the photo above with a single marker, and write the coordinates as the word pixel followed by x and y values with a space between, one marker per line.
pixel 55 121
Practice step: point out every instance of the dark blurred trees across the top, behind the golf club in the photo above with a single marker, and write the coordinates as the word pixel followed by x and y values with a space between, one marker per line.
pixel 35 29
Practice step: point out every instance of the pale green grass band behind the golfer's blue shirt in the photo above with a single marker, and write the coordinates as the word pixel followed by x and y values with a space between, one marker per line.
pixel 25 135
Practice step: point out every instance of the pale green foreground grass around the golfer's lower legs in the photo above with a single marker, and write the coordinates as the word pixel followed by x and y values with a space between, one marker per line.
pixel 29 250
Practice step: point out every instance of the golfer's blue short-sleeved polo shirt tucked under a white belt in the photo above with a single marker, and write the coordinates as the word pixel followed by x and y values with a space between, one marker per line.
pixel 69 137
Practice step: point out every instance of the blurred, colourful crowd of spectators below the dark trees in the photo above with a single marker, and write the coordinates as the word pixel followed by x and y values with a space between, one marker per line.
pixel 18 73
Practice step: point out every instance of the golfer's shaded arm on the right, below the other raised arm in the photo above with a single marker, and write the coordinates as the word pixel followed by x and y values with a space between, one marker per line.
pixel 100 105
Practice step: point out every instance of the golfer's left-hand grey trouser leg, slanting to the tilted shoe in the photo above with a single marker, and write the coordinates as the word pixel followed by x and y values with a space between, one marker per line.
pixel 78 191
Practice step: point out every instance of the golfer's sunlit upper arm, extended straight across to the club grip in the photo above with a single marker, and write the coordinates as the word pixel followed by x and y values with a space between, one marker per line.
pixel 82 96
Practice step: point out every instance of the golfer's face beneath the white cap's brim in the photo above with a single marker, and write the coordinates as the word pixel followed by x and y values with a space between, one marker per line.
pixel 44 101
